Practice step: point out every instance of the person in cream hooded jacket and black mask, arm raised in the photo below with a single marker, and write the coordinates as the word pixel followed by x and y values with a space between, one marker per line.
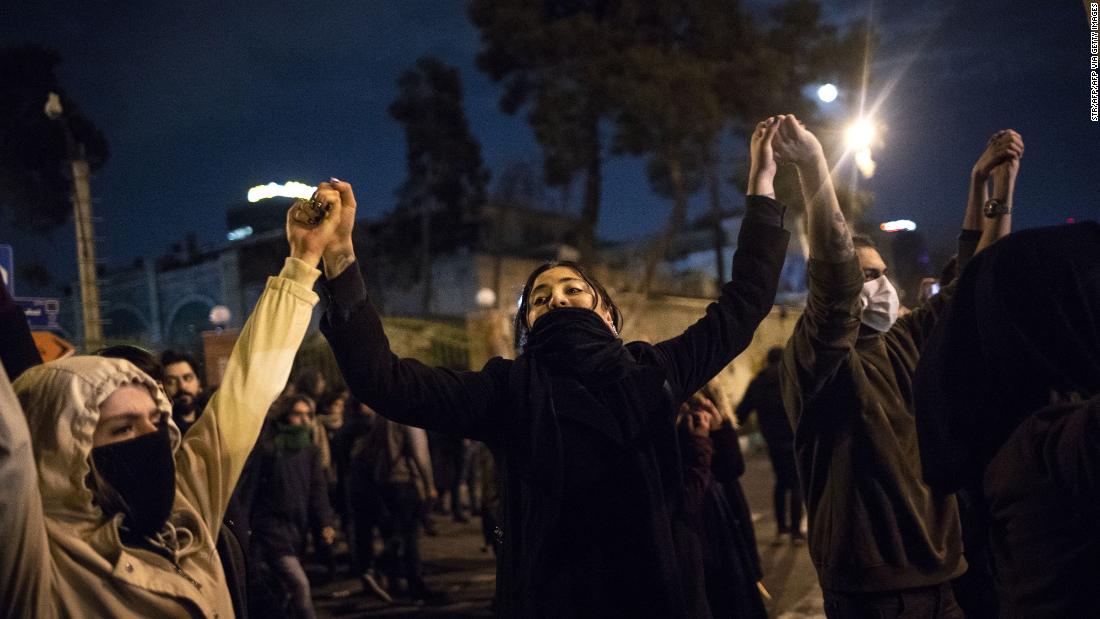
pixel 108 511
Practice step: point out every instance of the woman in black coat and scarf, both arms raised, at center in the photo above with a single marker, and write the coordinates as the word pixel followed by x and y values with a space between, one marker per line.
pixel 582 426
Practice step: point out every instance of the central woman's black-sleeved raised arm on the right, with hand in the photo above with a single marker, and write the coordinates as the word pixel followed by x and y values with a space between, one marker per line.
pixel 710 345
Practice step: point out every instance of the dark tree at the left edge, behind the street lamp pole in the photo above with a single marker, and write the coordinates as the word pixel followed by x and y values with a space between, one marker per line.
pixel 35 171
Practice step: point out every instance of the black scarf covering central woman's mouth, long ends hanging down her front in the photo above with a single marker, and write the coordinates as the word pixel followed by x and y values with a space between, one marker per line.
pixel 577 344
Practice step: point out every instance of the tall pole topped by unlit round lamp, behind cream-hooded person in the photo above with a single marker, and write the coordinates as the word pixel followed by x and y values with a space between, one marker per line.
pixel 85 233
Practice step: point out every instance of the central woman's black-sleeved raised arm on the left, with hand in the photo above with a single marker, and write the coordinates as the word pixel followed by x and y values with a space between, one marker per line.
pixel 402 390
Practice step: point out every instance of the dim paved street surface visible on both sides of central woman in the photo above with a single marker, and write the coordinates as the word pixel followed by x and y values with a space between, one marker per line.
pixel 456 567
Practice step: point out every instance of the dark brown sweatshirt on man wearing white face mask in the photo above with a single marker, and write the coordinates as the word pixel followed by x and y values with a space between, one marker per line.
pixel 874 524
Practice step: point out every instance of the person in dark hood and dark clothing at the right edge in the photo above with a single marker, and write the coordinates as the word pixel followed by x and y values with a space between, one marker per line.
pixel 1008 411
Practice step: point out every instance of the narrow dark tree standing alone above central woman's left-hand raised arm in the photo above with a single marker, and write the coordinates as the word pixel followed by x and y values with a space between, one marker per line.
pixel 446 174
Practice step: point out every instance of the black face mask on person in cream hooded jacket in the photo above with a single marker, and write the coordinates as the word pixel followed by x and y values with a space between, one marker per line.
pixel 144 472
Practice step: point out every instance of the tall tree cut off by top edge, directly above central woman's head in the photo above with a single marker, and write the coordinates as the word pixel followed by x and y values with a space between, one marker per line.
pixel 554 58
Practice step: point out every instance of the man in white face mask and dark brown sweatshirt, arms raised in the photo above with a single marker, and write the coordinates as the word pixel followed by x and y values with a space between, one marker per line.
pixel 881 539
